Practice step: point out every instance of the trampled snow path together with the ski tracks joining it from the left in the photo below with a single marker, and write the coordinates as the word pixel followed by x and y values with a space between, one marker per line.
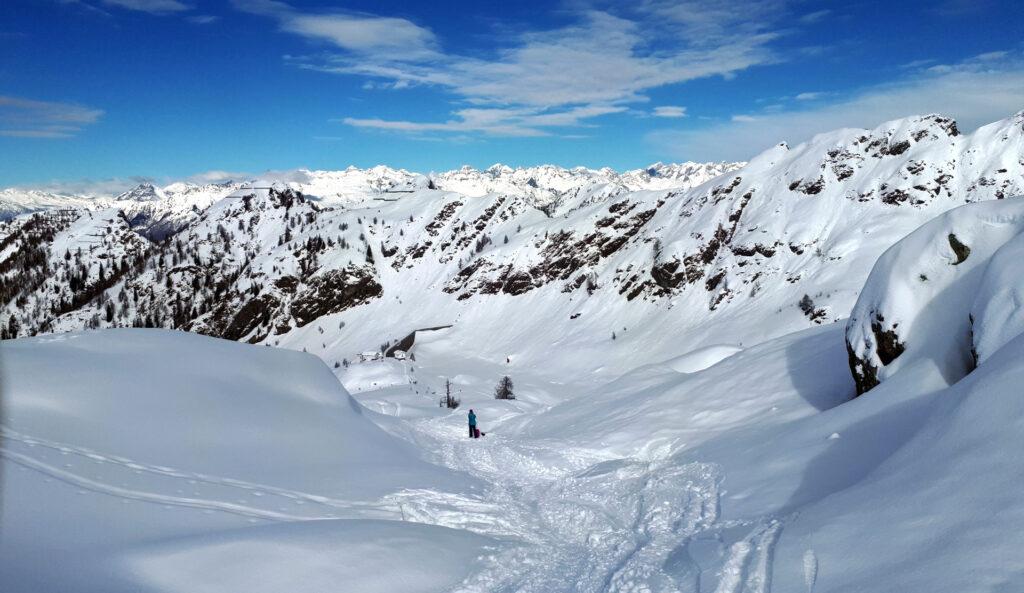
pixel 576 521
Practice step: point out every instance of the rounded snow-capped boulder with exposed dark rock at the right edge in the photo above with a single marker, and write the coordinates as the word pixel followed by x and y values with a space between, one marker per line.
pixel 919 300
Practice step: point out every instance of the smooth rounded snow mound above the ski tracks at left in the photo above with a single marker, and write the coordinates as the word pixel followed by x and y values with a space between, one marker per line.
pixel 216 407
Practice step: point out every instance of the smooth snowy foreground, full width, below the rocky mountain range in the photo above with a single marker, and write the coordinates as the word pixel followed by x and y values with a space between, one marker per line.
pixel 187 463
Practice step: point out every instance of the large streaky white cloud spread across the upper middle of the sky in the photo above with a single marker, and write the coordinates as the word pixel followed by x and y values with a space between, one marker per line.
pixel 538 80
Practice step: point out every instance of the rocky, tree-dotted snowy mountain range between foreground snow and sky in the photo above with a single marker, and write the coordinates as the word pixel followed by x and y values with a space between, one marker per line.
pixel 780 244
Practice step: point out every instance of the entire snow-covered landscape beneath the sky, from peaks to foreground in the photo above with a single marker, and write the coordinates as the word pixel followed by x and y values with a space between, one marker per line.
pixel 800 374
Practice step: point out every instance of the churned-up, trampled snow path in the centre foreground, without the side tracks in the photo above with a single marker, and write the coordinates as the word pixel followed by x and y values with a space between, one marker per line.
pixel 583 523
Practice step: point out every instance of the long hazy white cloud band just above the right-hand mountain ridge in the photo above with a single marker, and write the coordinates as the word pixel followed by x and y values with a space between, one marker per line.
pixel 975 93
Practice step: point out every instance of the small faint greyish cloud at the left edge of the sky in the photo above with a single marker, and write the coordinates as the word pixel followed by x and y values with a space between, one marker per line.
pixel 35 119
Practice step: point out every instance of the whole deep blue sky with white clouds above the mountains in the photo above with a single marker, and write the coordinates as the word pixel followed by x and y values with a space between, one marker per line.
pixel 99 94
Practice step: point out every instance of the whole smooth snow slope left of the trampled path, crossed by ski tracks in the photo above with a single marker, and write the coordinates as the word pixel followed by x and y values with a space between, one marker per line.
pixel 163 461
